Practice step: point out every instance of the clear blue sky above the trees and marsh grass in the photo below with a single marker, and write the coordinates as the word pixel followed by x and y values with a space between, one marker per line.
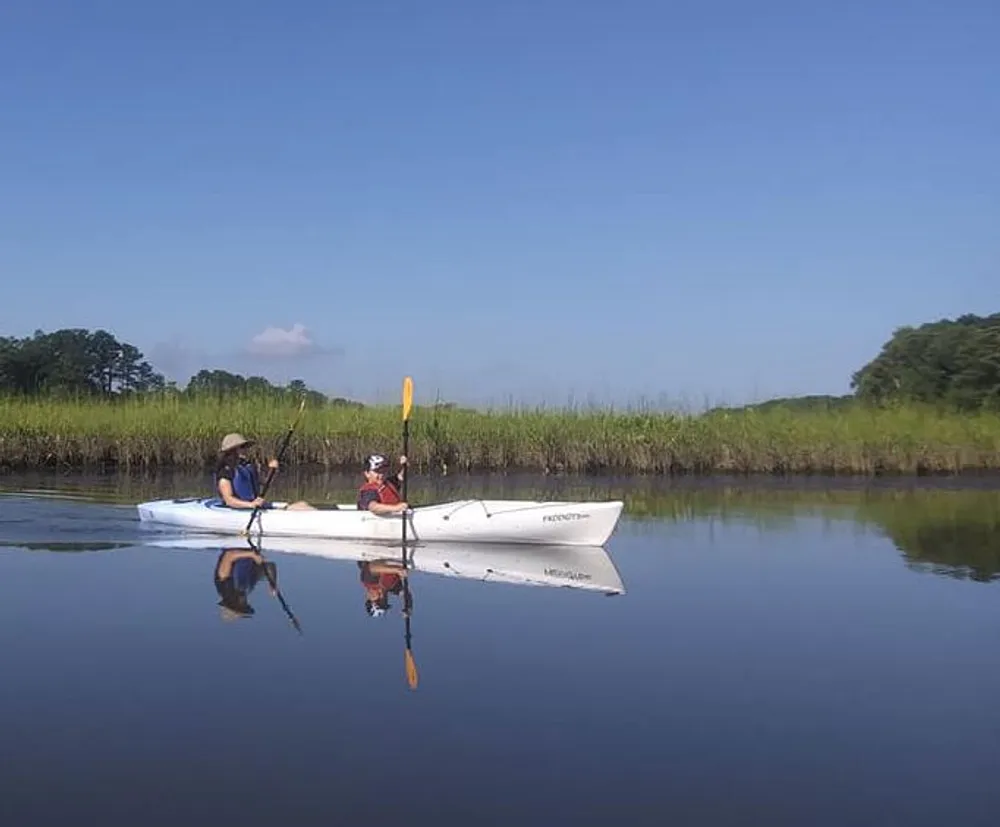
pixel 683 201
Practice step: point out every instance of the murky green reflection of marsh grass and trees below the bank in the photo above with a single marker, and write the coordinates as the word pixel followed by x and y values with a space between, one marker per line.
pixel 951 530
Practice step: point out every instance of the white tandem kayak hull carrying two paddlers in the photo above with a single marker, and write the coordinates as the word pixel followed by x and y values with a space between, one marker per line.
pixel 466 521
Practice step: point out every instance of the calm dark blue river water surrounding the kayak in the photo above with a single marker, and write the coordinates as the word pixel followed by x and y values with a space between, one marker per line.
pixel 781 655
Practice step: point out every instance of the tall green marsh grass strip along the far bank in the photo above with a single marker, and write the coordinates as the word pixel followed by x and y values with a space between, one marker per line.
pixel 161 432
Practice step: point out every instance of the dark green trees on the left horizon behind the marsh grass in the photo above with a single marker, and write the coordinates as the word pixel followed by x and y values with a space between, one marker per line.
pixel 75 362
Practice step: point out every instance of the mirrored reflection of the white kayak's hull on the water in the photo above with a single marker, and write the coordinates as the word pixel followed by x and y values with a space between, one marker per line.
pixel 577 567
